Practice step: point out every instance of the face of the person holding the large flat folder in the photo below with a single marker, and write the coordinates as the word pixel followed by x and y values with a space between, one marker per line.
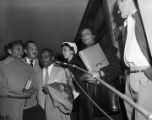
pixel 87 37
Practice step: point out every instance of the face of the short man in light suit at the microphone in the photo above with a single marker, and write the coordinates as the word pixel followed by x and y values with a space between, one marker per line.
pixel 46 59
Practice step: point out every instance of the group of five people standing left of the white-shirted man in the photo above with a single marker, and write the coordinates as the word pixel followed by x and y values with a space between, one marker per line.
pixel 27 80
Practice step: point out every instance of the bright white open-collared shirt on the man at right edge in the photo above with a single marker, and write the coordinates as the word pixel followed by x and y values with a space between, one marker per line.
pixel 133 56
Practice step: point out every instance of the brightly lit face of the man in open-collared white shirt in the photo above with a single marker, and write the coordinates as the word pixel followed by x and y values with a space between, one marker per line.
pixel 123 8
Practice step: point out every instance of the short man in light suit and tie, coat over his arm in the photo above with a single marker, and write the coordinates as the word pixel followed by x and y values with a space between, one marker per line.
pixel 51 73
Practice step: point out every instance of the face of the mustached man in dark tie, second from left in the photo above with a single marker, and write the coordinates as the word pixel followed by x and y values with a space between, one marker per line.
pixel 31 51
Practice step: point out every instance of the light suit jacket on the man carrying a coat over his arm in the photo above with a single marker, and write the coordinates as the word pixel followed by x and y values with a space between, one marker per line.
pixel 58 74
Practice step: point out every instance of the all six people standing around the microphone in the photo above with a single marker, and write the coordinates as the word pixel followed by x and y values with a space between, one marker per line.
pixel 27 81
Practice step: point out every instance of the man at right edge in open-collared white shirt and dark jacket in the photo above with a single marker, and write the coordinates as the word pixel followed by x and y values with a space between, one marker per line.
pixel 137 58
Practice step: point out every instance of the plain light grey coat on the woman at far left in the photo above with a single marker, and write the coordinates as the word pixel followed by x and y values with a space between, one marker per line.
pixel 15 74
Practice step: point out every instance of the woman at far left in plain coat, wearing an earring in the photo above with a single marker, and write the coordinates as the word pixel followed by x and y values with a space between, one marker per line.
pixel 14 74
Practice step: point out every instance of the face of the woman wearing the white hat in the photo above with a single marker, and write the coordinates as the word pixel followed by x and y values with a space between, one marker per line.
pixel 67 52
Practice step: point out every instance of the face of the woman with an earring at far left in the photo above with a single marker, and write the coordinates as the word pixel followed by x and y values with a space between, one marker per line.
pixel 17 51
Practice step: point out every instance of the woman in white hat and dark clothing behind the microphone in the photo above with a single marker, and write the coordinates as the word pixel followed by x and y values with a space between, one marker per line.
pixel 69 51
